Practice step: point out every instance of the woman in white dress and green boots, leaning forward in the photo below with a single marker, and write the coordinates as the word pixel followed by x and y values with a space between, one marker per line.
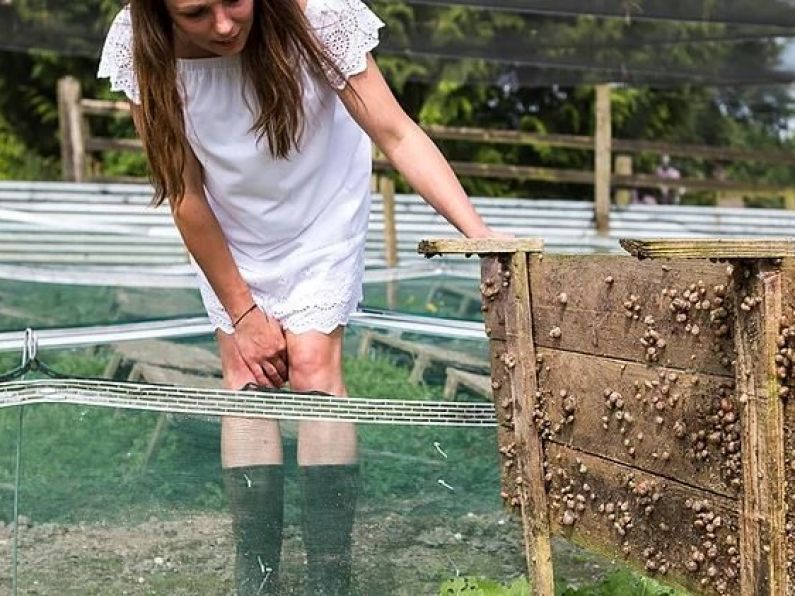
pixel 255 117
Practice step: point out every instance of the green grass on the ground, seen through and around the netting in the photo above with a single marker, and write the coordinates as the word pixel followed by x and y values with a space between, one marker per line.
pixel 86 464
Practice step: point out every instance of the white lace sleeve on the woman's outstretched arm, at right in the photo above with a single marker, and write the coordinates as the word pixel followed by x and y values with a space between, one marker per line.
pixel 348 30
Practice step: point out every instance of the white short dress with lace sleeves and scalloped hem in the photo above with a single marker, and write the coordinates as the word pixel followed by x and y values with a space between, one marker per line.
pixel 296 227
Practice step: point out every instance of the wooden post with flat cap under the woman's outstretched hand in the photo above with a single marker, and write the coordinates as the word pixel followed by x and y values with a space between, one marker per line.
pixel 507 302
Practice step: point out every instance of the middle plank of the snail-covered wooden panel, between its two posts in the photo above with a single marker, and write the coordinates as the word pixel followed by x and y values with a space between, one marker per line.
pixel 673 424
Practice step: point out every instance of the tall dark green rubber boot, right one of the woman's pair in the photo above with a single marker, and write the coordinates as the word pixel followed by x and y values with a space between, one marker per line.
pixel 329 506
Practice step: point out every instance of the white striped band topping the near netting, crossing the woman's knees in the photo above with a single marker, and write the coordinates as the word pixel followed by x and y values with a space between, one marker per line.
pixel 278 405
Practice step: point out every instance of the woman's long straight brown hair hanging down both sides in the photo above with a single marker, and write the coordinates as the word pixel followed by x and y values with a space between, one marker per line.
pixel 279 41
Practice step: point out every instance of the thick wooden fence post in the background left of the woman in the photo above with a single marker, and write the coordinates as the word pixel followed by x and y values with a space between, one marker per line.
pixel 72 130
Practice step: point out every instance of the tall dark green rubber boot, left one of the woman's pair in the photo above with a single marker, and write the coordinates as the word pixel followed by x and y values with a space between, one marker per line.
pixel 256 500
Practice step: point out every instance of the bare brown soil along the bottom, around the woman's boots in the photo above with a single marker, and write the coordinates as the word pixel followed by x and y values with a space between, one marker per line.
pixel 395 553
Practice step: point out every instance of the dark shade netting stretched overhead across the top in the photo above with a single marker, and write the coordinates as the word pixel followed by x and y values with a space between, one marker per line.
pixel 515 42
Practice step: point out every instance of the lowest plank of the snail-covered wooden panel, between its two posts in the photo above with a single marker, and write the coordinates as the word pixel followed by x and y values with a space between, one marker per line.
pixel 662 527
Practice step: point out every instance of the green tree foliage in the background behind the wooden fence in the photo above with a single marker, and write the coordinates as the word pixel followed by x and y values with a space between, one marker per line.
pixel 462 92
